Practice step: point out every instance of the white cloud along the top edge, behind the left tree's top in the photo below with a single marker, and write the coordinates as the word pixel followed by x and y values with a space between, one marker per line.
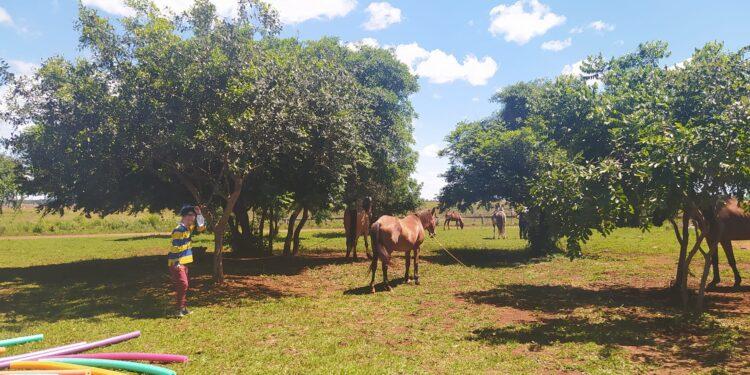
pixel 290 11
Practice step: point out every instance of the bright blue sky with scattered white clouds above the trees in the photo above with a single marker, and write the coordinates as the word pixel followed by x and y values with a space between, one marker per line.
pixel 464 51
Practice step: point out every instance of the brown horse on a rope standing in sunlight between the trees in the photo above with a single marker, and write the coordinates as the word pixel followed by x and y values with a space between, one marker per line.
pixel 390 234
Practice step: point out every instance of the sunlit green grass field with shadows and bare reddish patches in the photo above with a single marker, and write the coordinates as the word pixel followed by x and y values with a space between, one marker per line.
pixel 506 313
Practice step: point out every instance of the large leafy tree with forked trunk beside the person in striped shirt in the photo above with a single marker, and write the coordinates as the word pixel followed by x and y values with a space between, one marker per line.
pixel 175 109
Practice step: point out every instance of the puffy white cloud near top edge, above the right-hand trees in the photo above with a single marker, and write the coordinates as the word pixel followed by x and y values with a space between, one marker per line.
pixel 519 24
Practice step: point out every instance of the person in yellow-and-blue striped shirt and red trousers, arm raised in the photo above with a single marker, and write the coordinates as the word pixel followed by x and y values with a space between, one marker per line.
pixel 181 253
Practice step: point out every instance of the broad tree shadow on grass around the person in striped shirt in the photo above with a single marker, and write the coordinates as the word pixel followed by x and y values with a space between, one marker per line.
pixel 136 287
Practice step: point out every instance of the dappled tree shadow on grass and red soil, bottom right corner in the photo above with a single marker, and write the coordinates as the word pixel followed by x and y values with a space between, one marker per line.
pixel 638 317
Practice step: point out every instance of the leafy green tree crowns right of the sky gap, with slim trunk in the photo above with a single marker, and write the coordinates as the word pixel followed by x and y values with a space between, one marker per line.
pixel 628 142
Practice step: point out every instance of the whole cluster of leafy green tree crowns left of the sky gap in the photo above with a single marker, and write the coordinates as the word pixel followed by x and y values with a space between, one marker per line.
pixel 167 109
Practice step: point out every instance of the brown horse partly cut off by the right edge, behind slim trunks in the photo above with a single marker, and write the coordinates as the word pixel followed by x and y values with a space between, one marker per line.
pixel 732 224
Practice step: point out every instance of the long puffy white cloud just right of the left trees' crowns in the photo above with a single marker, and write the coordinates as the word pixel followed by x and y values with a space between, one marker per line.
pixel 441 67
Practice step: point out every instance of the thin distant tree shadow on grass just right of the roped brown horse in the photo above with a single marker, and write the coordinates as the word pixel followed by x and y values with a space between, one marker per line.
pixel 485 258
